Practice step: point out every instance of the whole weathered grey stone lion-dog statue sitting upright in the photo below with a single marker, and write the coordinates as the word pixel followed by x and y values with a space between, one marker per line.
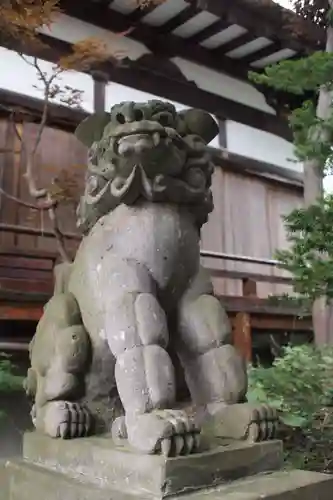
pixel 100 358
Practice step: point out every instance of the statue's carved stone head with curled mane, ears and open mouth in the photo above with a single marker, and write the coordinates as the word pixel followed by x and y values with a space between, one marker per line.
pixel 140 149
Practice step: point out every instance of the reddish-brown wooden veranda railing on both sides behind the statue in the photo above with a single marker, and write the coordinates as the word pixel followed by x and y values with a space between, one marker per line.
pixel 26 283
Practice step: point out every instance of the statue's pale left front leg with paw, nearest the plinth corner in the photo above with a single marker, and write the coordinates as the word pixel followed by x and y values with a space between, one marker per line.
pixel 137 334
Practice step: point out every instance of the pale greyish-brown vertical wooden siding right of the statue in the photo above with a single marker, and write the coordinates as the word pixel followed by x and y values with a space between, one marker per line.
pixel 247 221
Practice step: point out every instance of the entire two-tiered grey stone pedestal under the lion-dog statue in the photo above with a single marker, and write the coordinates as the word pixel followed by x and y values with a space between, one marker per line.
pixel 94 469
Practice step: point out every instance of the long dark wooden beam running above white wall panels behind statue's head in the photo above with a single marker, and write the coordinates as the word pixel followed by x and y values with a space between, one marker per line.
pixel 157 82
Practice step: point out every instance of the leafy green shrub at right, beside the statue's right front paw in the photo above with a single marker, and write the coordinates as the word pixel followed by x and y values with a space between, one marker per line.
pixel 300 386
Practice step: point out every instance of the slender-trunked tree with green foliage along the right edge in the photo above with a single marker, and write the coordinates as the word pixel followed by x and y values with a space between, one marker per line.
pixel 309 230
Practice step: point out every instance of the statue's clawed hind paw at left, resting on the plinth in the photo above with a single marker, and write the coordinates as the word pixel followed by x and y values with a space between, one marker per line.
pixel 63 419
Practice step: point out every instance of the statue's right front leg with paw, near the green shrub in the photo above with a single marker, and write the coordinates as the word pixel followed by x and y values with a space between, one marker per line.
pixel 215 373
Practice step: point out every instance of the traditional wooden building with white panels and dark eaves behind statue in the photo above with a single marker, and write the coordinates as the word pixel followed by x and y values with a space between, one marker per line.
pixel 196 54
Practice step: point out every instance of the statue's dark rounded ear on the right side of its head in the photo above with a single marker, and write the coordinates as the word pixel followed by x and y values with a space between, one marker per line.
pixel 200 123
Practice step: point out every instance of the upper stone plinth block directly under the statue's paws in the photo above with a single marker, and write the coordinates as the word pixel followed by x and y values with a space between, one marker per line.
pixel 96 461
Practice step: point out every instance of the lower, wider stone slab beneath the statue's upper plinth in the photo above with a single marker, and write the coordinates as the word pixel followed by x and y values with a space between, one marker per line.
pixel 28 481
